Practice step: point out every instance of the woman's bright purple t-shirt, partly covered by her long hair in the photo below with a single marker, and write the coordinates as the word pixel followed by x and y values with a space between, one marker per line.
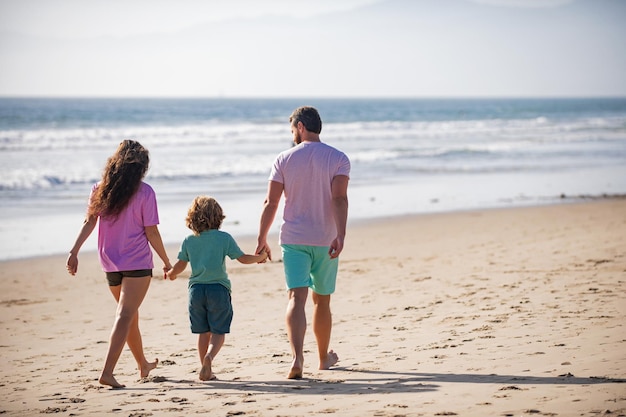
pixel 122 241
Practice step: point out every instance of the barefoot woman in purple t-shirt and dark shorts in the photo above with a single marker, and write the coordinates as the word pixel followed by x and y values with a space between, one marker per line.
pixel 127 210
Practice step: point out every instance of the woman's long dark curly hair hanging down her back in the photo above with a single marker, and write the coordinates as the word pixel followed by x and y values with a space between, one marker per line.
pixel 121 179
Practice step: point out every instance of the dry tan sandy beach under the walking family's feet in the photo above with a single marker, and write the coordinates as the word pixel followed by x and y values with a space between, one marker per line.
pixel 508 312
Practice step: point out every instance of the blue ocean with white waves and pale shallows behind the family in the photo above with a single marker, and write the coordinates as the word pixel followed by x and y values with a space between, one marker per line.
pixel 408 156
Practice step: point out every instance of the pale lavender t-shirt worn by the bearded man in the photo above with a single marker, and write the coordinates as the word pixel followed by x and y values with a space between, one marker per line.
pixel 306 172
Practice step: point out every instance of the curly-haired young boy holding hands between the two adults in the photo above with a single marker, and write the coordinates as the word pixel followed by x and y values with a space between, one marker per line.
pixel 210 308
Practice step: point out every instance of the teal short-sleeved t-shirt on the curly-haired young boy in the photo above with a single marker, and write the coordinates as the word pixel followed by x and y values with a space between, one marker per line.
pixel 207 253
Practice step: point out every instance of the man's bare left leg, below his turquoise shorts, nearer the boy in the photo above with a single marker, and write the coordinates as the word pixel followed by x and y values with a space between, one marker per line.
pixel 296 329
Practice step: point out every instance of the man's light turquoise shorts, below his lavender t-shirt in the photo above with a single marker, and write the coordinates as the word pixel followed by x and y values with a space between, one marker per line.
pixel 310 266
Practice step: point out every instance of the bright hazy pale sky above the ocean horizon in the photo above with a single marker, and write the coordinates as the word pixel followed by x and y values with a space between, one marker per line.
pixel 281 48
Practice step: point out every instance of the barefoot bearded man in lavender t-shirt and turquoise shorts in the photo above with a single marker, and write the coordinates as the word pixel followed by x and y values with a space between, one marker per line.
pixel 314 178
